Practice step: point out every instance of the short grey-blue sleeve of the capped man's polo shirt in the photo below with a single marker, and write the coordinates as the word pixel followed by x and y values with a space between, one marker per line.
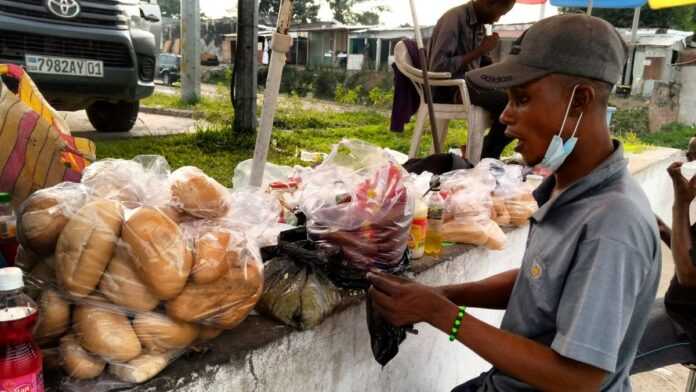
pixel 598 301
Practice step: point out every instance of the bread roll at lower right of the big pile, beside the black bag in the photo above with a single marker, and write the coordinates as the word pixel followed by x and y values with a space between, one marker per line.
pixel 225 302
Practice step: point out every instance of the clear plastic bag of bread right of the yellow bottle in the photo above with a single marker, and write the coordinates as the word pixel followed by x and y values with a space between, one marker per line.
pixel 468 206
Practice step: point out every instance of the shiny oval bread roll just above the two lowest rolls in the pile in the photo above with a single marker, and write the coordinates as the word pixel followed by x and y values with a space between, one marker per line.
pixel 106 332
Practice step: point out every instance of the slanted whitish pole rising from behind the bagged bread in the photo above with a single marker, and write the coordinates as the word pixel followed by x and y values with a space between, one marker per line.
pixel 280 46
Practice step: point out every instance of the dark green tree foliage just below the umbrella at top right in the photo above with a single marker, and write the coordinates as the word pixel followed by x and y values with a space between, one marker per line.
pixel 679 18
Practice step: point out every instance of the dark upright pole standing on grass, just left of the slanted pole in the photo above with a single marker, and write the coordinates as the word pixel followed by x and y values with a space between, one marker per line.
pixel 245 67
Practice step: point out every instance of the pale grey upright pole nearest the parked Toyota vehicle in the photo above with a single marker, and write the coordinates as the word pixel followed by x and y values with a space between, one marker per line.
pixel 190 51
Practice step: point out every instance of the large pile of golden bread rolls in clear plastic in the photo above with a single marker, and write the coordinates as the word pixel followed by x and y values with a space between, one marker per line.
pixel 134 266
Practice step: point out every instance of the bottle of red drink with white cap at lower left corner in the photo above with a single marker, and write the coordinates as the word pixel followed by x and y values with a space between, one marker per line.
pixel 21 363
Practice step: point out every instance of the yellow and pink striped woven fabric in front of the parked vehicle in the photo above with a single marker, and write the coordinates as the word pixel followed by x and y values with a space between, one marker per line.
pixel 36 148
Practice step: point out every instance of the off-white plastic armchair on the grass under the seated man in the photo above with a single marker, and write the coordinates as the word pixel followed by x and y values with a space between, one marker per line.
pixel 478 118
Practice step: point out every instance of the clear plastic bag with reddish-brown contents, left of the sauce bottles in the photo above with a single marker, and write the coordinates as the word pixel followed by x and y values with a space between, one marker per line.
pixel 357 199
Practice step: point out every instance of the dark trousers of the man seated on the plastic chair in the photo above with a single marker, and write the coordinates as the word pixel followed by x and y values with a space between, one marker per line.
pixel 494 101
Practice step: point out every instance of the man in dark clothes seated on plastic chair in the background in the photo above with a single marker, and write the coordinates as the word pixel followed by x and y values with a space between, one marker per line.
pixel 458 45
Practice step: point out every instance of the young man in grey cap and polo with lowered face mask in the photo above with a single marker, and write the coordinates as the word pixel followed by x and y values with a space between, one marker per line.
pixel 577 307
